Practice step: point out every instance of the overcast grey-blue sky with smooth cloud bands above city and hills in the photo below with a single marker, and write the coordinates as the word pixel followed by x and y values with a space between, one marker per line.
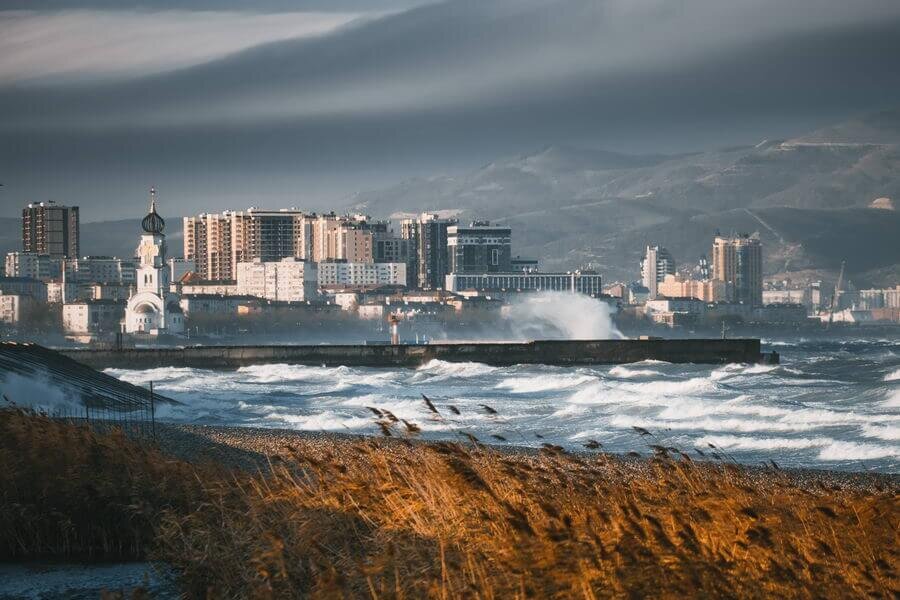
pixel 305 102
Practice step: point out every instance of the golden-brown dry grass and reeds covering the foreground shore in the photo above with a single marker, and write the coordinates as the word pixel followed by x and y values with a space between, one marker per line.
pixel 393 519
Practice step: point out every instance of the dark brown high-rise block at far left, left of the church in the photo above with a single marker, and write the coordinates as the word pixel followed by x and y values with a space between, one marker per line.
pixel 50 229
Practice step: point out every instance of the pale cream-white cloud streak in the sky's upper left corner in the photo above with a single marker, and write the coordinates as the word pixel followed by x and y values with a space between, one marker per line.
pixel 74 45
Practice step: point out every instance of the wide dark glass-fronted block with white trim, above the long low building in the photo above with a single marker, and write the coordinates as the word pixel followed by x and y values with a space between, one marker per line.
pixel 479 248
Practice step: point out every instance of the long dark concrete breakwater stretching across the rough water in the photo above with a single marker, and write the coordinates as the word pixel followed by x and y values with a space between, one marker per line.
pixel 549 352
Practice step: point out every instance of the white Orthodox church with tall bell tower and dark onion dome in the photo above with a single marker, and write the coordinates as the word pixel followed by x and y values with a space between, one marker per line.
pixel 152 308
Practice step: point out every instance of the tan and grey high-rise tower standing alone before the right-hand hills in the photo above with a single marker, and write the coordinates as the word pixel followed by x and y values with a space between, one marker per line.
pixel 738 262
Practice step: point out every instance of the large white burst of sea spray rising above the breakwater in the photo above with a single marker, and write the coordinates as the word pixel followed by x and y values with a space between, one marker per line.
pixel 562 315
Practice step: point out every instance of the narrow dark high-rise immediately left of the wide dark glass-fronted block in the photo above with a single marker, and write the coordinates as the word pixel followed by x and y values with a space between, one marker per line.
pixel 432 263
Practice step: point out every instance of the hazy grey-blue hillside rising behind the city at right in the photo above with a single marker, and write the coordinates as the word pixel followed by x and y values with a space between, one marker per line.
pixel 807 197
